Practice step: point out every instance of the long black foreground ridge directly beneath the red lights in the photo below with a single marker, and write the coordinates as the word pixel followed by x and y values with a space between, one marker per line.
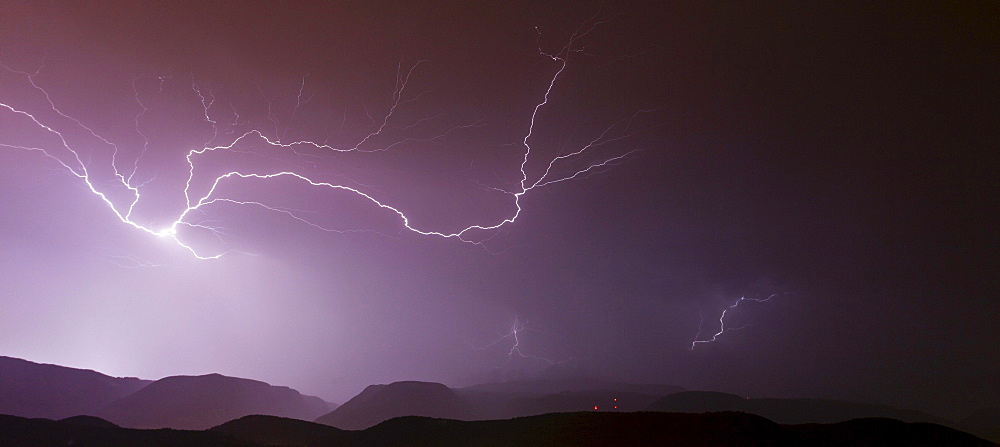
pixel 659 429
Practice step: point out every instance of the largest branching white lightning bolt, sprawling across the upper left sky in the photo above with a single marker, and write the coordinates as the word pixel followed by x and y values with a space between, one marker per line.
pixel 125 180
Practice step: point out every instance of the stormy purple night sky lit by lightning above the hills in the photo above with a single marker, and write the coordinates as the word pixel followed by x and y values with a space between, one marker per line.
pixel 838 159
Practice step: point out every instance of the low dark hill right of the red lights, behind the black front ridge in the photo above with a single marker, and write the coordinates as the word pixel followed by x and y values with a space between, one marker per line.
pixel 787 411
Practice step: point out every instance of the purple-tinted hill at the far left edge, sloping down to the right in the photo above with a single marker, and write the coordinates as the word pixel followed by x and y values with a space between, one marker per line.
pixel 32 389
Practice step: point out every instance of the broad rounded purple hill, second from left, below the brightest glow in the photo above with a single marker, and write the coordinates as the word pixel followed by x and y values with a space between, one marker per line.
pixel 201 402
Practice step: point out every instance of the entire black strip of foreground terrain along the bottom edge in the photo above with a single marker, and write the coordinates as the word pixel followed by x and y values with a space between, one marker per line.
pixel 577 429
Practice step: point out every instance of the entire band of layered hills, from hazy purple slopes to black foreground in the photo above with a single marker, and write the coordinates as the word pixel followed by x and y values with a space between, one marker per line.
pixel 251 413
